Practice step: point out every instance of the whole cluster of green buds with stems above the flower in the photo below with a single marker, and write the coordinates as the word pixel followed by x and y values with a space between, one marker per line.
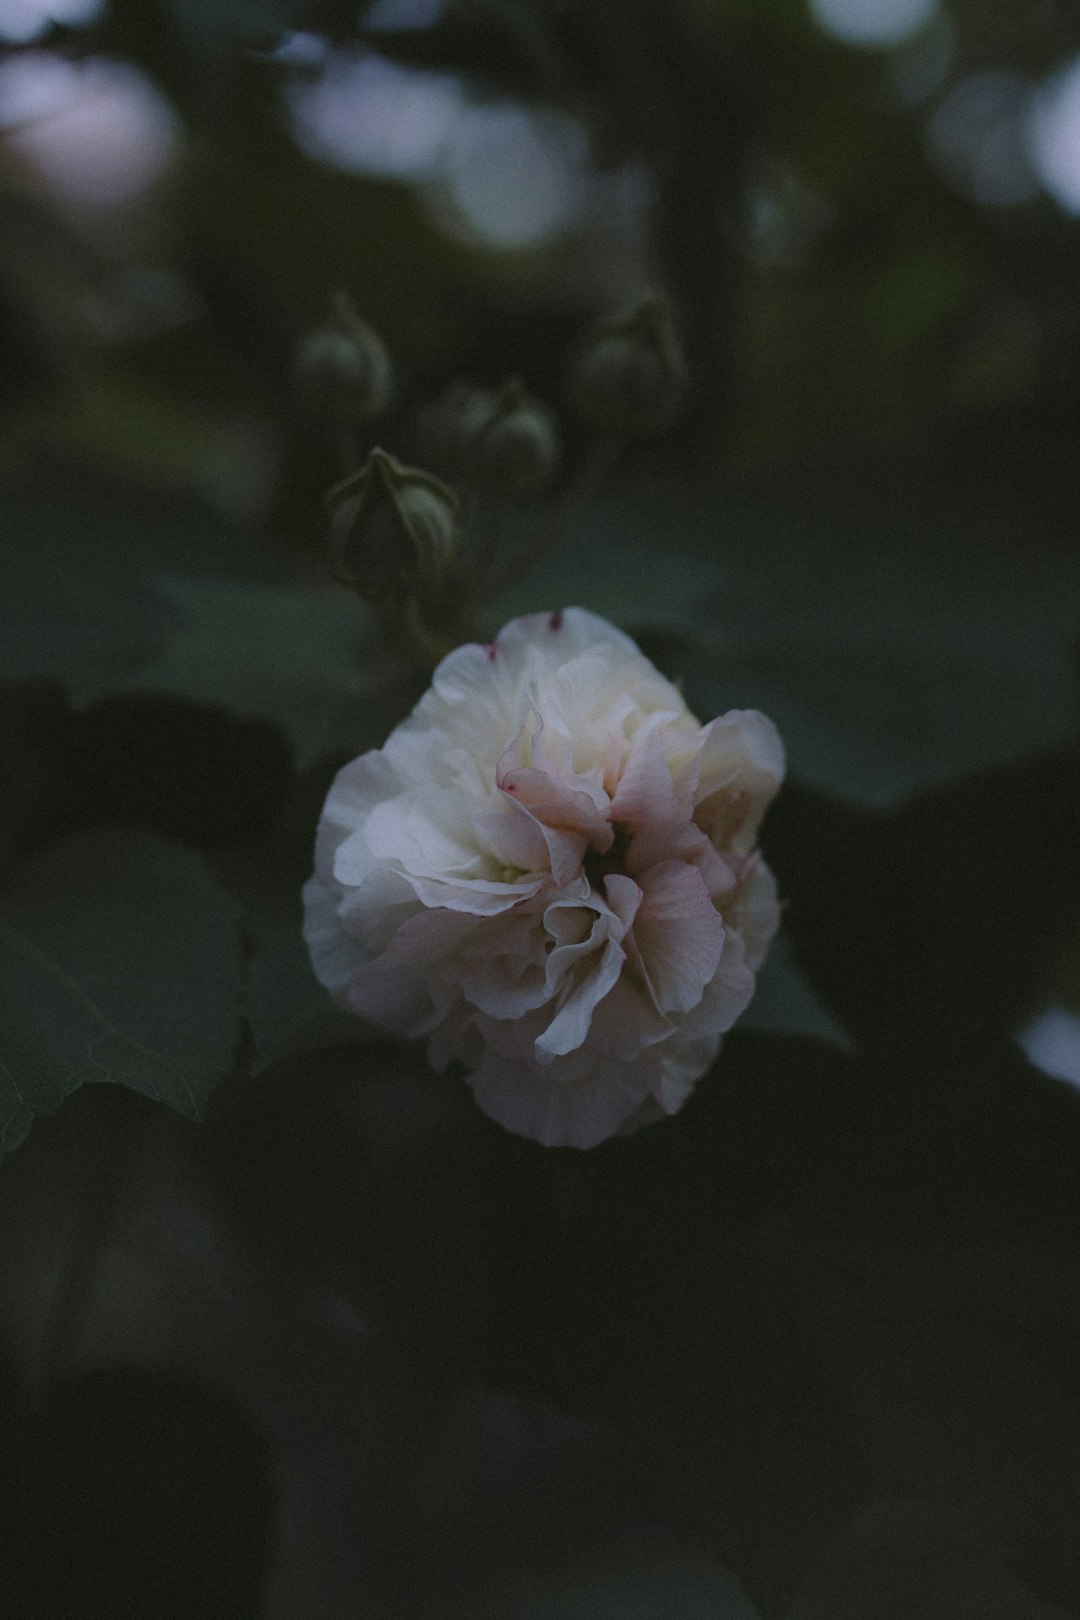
pixel 399 535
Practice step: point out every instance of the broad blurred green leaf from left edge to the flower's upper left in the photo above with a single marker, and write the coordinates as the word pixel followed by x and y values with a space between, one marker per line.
pixel 113 590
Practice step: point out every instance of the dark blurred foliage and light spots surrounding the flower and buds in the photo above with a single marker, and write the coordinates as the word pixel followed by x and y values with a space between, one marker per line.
pixel 286 1326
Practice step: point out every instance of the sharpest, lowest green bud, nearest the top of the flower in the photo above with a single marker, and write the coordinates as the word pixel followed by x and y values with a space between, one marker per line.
pixel 393 529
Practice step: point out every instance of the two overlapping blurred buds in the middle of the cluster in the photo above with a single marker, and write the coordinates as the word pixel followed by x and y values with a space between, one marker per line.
pixel 501 440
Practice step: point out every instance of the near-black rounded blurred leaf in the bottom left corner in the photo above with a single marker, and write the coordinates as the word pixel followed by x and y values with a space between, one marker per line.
pixel 125 1478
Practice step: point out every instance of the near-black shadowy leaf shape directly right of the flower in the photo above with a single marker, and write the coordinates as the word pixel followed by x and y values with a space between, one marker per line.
pixel 899 918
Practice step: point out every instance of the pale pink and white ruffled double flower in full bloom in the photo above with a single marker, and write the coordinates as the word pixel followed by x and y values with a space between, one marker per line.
pixel 550 874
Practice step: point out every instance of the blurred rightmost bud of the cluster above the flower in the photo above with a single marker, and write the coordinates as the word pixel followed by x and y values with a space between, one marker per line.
pixel 631 378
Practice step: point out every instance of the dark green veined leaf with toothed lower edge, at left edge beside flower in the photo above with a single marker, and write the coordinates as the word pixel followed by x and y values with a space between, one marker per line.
pixel 119 961
